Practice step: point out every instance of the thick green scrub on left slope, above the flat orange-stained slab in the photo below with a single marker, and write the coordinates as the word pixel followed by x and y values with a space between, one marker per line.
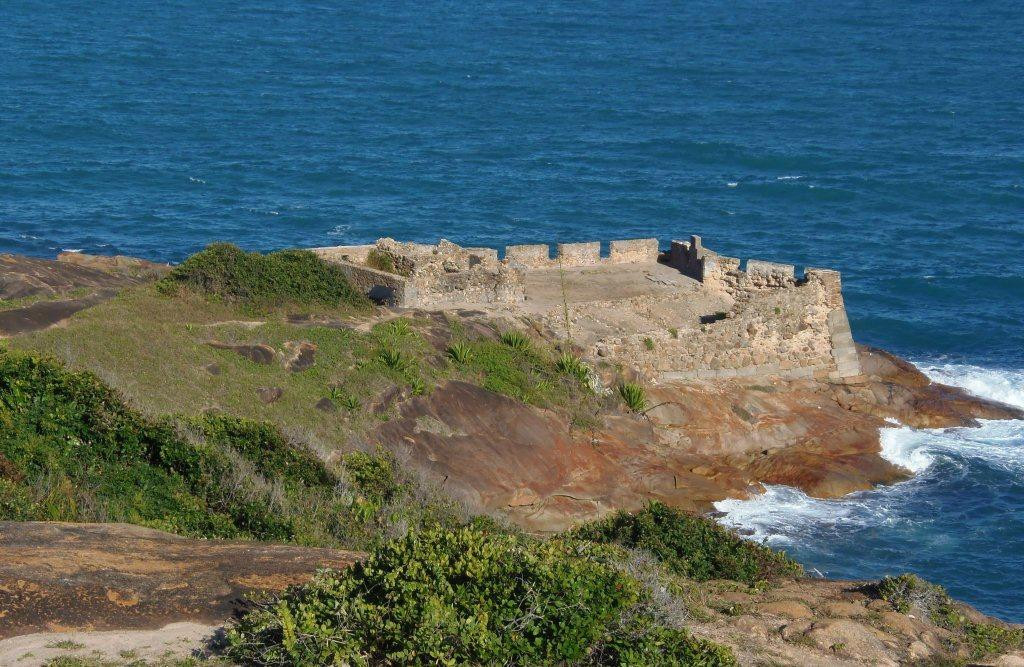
pixel 71 450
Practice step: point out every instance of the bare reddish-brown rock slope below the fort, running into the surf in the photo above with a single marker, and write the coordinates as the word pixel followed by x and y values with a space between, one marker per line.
pixel 701 443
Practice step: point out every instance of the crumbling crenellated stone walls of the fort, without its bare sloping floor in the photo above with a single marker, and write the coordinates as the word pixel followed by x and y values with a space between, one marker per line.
pixel 780 324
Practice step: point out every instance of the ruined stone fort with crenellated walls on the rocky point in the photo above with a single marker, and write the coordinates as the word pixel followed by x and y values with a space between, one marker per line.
pixel 685 314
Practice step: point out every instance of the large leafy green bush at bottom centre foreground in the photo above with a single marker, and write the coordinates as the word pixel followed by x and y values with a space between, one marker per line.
pixel 470 597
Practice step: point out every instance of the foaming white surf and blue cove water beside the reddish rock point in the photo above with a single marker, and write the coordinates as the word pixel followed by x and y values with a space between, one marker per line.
pixel 961 511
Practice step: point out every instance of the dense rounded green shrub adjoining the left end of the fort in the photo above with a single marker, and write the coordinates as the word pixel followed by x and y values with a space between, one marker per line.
pixel 288 277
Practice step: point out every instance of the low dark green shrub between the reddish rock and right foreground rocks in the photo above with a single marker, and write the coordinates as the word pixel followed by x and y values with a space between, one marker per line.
pixel 692 547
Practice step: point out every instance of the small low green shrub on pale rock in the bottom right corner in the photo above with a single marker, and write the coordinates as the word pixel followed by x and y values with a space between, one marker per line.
pixel 909 593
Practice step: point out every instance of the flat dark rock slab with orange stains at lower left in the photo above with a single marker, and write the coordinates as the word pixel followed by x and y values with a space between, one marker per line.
pixel 116 576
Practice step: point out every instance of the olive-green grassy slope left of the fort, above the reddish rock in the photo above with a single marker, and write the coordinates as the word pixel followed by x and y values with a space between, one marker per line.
pixel 153 348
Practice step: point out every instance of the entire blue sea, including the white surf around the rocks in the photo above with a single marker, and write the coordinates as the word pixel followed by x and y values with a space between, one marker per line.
pixel 884 140
